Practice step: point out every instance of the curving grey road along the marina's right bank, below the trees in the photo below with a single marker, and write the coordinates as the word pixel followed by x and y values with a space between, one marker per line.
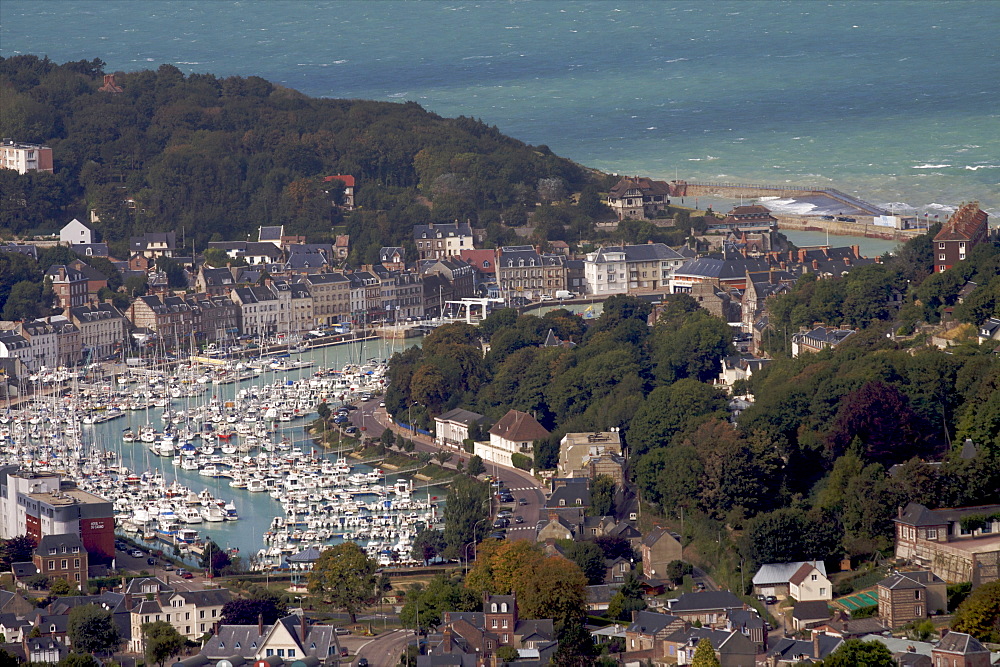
pixel 373 420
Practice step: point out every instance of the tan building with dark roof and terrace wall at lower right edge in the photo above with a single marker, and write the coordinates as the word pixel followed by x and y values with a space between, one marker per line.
pixel 956 544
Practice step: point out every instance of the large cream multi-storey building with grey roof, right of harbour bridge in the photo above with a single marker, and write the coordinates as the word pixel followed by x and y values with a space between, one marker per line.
pixel 631 269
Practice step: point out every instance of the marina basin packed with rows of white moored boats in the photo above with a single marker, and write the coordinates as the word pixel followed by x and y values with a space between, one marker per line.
pixel 197 451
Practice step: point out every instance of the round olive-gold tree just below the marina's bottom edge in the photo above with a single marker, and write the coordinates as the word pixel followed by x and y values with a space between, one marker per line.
pixel 344 576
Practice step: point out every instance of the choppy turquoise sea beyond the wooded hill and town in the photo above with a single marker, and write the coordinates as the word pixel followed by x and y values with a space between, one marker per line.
pixel 893 101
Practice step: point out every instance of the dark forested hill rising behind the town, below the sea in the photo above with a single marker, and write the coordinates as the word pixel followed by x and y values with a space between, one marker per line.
pixel 217 157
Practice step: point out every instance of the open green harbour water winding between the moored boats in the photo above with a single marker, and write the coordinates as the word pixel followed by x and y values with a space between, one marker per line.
pixel 255 509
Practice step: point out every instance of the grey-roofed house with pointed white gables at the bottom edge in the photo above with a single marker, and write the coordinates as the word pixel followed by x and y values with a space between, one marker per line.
pixel 291 638
